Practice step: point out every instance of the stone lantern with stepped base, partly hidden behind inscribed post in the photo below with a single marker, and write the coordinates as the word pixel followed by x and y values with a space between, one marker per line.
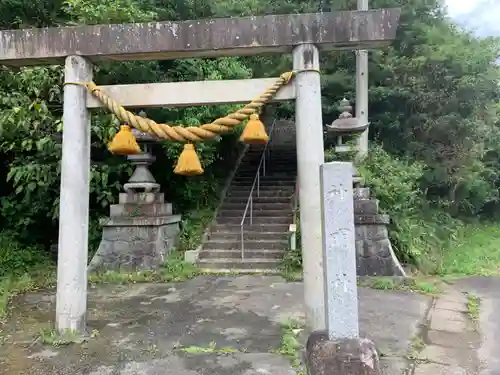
pixel 374 253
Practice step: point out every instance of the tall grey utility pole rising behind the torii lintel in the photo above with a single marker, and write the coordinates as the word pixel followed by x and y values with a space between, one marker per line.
pixel 362 91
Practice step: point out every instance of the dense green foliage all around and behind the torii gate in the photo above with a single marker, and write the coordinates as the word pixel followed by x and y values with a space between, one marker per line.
pixel 433 109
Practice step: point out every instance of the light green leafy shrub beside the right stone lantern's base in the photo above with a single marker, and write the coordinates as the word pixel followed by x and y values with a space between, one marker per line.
pixel 419 229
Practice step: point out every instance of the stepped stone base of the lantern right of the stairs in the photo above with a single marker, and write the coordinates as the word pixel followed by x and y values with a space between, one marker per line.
pixel 375 256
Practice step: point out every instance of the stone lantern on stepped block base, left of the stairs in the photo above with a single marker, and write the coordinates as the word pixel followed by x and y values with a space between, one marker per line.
pixel 141 229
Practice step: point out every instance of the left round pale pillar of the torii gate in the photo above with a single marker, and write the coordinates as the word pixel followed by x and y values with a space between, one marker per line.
pixel 71 300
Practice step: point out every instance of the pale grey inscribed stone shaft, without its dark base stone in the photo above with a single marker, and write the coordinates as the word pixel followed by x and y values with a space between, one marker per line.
pixel 339 250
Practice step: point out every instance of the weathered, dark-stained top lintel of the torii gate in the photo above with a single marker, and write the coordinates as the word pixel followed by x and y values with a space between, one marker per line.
pixel 200 38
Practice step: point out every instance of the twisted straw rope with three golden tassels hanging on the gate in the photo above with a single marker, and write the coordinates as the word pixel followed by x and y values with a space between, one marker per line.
pixel 188 164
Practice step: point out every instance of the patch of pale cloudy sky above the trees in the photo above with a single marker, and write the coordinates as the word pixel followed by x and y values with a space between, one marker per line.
pixel 482 16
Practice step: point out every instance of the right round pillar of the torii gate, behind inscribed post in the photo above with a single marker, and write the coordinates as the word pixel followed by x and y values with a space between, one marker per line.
pixel 310 155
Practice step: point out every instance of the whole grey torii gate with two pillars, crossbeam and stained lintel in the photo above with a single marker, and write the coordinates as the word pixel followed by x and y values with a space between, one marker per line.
pixel 303 35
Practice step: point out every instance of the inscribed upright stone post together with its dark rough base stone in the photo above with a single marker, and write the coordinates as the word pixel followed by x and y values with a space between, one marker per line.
pixel 339 350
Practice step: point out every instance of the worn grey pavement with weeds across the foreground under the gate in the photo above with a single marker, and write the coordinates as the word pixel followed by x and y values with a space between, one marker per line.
pixel 216 325
